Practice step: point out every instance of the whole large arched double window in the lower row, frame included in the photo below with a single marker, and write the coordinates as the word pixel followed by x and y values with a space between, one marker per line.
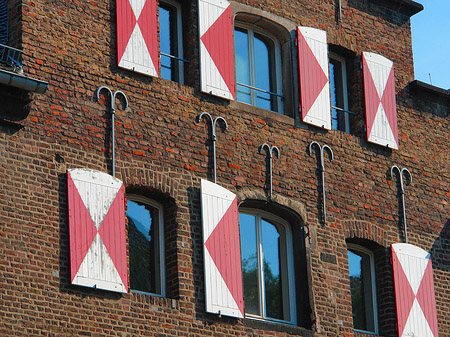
pixel 267 266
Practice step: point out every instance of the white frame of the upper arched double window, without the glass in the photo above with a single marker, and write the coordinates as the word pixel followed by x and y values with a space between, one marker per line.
pixel 277 59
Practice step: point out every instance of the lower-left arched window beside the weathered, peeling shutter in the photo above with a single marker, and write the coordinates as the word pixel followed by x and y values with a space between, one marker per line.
pixel 146 245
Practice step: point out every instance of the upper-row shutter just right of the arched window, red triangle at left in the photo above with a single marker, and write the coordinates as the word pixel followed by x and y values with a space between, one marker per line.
pixel 313 77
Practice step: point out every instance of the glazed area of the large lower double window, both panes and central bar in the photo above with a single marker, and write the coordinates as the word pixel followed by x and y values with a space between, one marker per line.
pixel 262 267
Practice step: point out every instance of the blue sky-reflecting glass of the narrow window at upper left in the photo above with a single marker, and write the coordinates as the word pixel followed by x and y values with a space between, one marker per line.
pixel 165 42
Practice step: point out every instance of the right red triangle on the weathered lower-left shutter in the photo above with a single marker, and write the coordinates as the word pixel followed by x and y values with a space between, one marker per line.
pixel 112 232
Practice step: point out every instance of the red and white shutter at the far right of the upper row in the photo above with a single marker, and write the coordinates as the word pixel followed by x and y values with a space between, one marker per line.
pixel 379 99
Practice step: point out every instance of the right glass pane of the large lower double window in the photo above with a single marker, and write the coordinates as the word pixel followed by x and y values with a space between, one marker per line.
pixel 272 270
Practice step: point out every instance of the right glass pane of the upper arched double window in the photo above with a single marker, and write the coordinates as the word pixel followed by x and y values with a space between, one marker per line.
pixel 263 76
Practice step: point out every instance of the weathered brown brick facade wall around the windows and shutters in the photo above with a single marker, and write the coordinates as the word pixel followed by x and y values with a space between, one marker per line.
pixel 162 152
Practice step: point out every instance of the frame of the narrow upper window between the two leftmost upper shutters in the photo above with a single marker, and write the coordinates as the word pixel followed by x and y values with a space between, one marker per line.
pixel 178 37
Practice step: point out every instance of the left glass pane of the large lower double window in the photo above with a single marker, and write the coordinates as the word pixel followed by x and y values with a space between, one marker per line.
pixel 247 225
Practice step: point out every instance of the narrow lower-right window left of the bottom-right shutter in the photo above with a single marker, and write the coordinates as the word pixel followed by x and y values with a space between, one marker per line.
pixel 361 267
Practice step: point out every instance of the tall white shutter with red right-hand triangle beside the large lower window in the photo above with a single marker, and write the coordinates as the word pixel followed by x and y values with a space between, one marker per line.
pixel 221 251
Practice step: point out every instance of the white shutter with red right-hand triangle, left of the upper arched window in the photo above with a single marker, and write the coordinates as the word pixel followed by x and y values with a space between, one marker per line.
pixel 216 48
